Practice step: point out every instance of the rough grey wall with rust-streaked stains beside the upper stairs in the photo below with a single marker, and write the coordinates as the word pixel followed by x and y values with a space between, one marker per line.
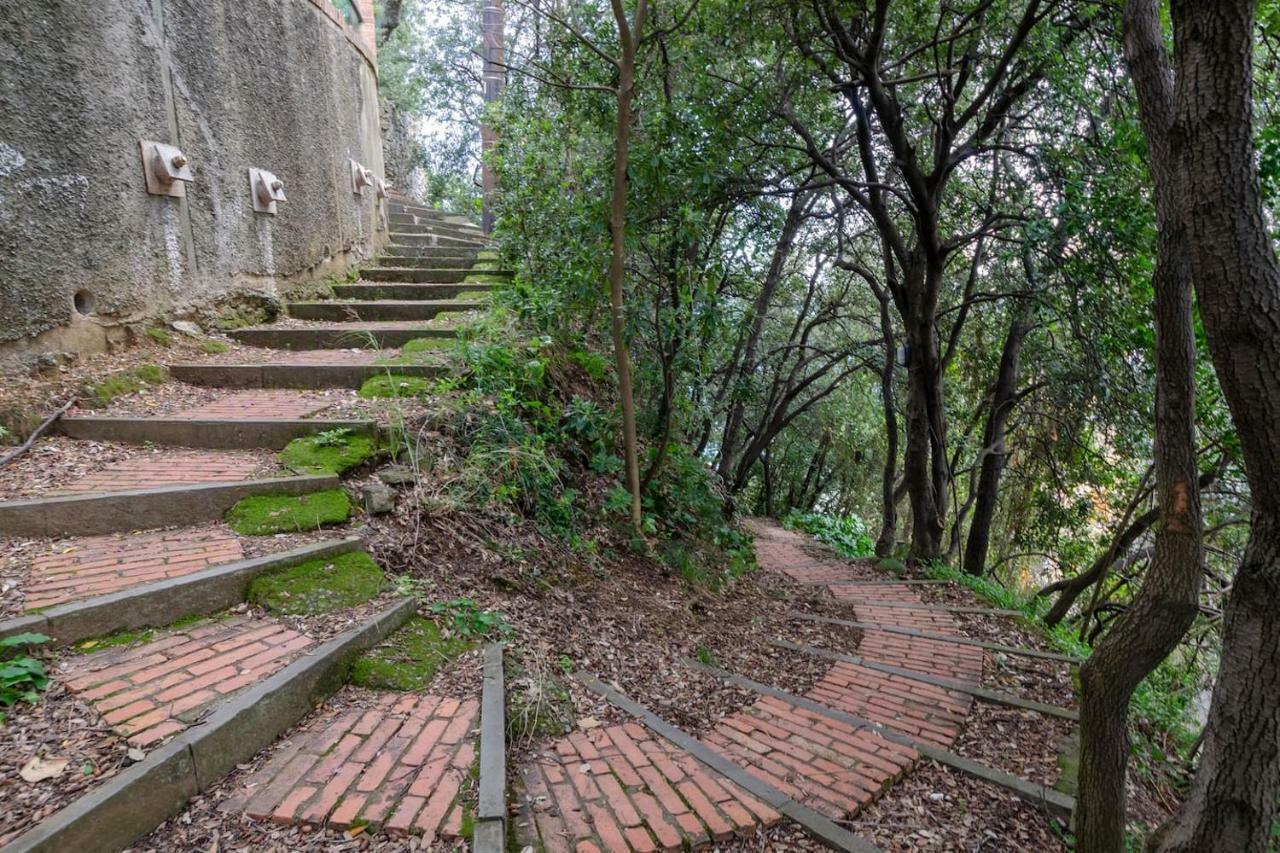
pixel 281 85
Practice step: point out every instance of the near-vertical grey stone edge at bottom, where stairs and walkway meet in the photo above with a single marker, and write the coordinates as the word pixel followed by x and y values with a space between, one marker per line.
pixel 491 828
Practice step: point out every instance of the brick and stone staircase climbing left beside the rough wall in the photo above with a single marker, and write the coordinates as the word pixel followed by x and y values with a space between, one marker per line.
pixel 135 558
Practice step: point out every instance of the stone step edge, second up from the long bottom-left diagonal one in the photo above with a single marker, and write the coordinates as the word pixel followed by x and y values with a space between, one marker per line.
pixel 163 603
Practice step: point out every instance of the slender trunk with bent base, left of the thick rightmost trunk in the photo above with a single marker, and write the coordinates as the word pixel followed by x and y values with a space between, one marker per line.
pixel 1168 603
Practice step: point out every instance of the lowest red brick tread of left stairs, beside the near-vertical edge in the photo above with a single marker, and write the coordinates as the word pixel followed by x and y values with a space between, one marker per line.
pixel 397 767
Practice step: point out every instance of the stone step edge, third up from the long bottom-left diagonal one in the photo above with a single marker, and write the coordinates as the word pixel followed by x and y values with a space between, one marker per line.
pixel 103 513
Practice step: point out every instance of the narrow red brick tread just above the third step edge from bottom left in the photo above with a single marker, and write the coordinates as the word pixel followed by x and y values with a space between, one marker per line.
pixel 158 471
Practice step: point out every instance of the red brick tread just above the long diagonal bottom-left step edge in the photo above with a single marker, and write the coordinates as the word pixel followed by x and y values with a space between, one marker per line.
pixel 158 688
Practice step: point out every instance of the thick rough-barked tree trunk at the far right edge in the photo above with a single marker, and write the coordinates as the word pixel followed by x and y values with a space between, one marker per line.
pixel 1233 799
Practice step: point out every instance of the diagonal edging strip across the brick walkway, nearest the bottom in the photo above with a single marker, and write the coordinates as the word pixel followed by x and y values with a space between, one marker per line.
pixel 821 828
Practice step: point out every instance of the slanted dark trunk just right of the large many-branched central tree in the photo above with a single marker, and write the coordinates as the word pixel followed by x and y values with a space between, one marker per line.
pixel 995 457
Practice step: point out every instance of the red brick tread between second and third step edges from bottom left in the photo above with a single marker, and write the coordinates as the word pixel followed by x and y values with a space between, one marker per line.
pixel 100 565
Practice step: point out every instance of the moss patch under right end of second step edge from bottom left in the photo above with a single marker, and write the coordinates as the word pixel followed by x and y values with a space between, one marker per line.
pixel 319 586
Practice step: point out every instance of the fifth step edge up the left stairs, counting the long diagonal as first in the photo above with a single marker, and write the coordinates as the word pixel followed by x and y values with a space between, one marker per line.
pixel 294 376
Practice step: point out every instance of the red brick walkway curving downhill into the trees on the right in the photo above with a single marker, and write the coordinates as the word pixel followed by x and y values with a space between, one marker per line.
pixel 601 791
